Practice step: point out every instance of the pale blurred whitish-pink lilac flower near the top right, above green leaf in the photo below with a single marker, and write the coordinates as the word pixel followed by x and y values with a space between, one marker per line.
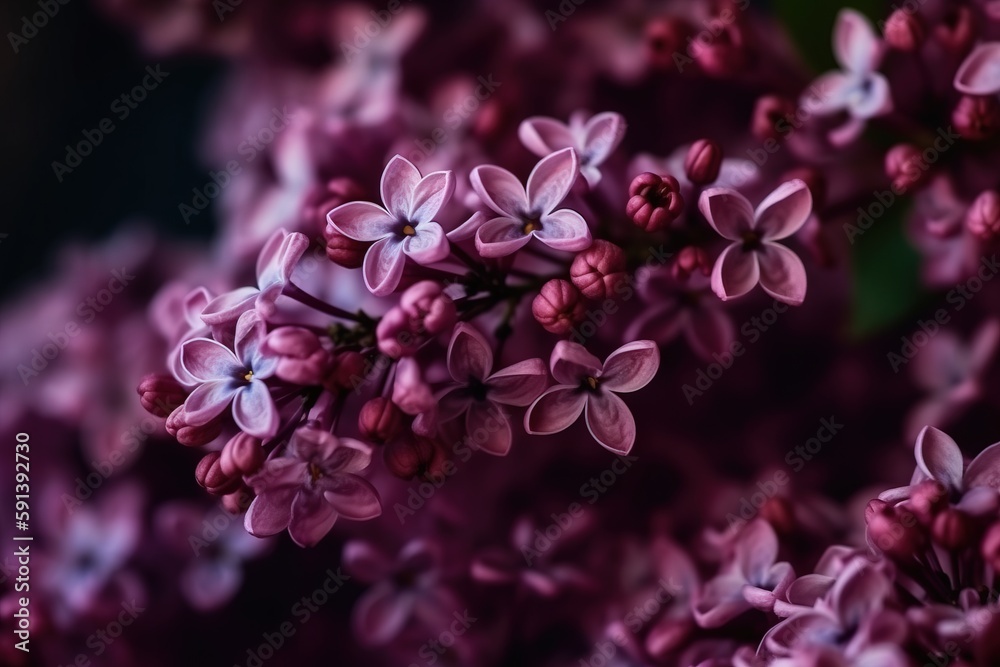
pixel 858 88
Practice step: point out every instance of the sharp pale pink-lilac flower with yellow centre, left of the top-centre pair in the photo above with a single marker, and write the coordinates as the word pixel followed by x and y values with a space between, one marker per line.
pixel 404 228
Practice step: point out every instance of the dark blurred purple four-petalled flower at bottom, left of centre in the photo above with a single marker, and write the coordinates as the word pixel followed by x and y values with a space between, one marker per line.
pixel 406 588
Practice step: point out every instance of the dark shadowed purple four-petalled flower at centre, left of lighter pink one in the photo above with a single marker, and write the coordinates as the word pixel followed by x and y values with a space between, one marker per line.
pixel 479 394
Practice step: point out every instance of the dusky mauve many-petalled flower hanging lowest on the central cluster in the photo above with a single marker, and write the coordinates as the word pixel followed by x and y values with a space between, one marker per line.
pixel 311 484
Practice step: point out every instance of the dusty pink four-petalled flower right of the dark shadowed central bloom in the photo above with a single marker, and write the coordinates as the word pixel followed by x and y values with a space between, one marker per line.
pixel 587 385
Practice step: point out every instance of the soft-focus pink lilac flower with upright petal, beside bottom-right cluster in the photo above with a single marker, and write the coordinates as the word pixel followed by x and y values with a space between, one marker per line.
pixel 751 579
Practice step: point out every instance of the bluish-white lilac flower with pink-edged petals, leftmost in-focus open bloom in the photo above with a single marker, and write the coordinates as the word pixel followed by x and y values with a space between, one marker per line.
pixel 236 377
